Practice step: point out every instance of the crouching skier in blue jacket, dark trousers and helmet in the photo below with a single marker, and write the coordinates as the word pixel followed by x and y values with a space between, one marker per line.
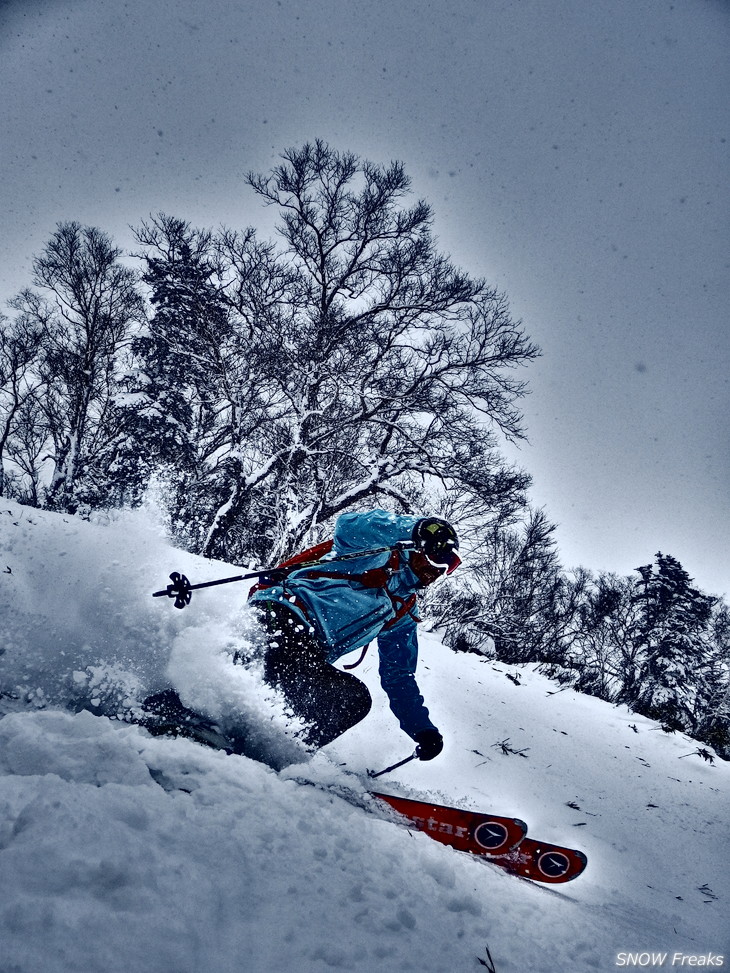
pixel 317 614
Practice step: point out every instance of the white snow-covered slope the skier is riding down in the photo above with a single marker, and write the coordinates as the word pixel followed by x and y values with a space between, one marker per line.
pixel 124 853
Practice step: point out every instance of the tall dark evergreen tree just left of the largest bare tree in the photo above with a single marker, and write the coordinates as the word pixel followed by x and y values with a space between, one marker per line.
pixel 171 403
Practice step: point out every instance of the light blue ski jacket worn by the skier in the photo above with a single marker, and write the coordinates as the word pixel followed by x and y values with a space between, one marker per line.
pixel 346 614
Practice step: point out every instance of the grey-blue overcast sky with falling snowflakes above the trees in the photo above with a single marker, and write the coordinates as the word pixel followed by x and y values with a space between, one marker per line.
pixel 575 153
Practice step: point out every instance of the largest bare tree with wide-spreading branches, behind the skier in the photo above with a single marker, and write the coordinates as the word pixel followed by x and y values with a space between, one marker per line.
pixel 386 367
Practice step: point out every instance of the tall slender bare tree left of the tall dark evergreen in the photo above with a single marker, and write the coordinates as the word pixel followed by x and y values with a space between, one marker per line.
pixel 85 306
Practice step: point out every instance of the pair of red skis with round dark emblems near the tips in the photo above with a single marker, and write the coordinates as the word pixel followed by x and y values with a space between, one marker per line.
pixel 499 839
